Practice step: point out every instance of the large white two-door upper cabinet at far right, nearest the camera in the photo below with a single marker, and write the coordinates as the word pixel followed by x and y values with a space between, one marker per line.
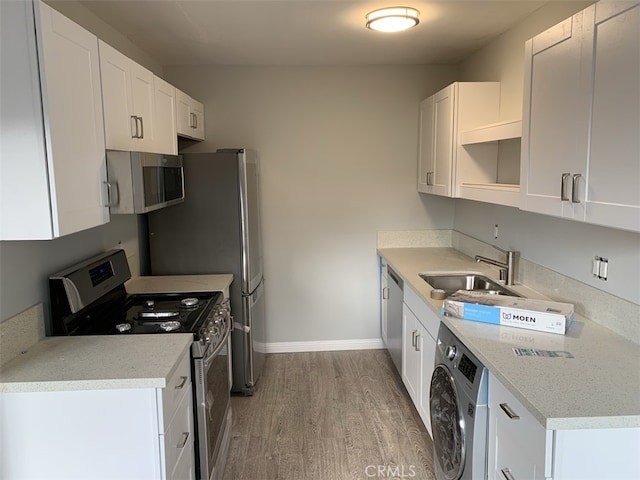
pixel 581 118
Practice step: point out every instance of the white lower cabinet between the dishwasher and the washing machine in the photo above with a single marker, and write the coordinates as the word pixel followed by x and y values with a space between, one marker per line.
pixel 419 332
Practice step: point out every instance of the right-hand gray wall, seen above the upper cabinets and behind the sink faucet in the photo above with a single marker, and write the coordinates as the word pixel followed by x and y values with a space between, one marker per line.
pixel 562 245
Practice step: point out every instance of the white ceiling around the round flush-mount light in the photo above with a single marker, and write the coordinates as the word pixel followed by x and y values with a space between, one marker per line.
pixel 305 32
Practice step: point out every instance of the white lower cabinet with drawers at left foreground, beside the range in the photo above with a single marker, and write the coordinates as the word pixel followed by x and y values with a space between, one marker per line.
pixel 141 433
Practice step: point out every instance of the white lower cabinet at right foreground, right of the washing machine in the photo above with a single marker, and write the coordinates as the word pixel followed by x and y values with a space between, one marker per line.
pixel 520 448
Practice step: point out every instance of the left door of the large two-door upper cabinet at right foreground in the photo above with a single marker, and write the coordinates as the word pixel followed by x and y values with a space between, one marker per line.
pixel 556 120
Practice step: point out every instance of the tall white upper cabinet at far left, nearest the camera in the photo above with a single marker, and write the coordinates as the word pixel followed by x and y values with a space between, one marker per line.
pixel 52 153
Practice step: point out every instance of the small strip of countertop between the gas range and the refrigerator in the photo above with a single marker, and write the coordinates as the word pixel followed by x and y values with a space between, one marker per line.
pixel 179 283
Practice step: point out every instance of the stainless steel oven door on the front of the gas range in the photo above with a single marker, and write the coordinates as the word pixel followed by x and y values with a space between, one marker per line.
pixel 212 407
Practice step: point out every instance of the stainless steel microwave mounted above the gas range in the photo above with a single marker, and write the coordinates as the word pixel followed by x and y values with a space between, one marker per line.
pixel 140 182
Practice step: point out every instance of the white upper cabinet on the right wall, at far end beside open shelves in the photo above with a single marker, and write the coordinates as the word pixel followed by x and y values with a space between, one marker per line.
pixel 443 162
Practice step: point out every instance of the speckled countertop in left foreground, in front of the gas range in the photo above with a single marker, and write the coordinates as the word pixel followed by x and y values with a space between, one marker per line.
pixel 95 363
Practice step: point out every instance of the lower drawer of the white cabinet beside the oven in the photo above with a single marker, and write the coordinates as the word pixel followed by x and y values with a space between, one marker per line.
pixel 178 437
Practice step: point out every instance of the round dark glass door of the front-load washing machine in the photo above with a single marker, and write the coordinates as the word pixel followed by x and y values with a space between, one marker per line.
pixel 448 425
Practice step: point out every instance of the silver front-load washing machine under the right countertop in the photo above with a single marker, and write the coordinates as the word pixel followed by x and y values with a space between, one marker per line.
pixel 458 402
